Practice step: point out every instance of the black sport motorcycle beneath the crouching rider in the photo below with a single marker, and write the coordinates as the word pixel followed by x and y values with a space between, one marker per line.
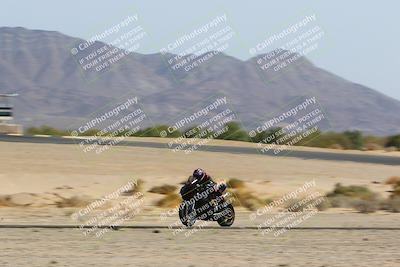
pixel 204 202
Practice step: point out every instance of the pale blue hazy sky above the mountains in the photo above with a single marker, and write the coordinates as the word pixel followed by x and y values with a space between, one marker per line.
pixel 360 43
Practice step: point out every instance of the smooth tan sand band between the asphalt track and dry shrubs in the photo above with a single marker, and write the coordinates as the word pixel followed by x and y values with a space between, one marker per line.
pixel 67 170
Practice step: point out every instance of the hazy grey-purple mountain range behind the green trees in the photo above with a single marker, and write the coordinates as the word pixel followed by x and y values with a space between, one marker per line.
pixel 53 88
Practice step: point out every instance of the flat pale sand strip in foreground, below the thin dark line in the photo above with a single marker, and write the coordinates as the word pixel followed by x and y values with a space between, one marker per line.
pixel 127 247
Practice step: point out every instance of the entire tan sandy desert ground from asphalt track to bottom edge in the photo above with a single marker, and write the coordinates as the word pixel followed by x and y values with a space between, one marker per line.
pixel 36 176
